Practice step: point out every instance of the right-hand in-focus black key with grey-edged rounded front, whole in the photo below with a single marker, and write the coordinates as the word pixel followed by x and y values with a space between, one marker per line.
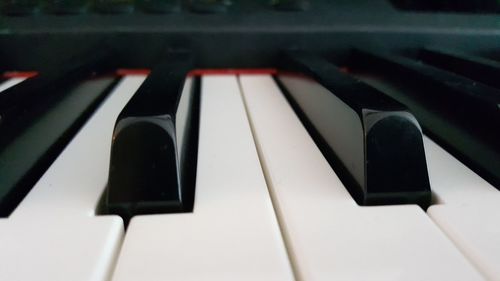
pixel 373 143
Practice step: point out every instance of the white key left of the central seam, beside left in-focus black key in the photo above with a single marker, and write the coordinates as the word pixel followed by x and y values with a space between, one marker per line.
pixel 232 233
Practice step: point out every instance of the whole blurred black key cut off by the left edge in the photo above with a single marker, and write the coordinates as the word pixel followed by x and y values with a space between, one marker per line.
pixel 32 139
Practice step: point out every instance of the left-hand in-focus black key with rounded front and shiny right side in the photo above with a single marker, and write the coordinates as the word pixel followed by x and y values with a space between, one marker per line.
pixel 153 154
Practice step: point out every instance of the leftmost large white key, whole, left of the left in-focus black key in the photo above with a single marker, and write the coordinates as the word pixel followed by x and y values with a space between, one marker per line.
pixel 54 233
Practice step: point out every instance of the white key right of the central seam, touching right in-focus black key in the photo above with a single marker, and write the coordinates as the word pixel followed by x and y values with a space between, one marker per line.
pixel 328 235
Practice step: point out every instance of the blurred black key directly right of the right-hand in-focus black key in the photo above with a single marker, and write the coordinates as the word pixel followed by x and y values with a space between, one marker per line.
pixel 461 114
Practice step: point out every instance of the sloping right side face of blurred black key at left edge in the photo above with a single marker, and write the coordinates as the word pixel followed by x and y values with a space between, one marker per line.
pixel 30 151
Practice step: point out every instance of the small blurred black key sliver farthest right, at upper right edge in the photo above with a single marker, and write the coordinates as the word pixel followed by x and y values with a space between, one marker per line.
pixel 480 69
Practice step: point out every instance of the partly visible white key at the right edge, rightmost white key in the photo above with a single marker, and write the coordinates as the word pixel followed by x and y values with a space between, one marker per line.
pixel 468 209
